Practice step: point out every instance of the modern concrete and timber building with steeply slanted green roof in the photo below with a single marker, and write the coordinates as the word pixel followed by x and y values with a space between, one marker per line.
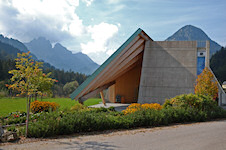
pixel 147 71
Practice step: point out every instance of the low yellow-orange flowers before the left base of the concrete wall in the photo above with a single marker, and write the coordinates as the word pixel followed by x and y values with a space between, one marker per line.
pixel 136 107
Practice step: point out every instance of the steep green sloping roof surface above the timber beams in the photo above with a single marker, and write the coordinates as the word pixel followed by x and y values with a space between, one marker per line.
pixel 93 76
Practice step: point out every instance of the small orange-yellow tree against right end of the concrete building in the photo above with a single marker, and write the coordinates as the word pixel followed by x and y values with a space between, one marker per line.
pixel 206 85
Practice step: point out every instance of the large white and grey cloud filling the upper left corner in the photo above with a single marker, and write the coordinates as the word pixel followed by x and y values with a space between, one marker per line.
pixel 56 20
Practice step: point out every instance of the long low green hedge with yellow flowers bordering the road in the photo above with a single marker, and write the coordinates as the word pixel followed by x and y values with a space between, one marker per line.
pixel 180 109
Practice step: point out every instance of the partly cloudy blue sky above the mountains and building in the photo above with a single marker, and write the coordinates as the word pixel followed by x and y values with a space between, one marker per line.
pixel 99 27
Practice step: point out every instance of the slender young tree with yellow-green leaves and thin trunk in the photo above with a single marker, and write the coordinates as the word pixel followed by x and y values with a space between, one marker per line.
pixel 29 80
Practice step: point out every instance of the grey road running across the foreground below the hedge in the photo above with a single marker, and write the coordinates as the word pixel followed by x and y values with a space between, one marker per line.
pixel 196 136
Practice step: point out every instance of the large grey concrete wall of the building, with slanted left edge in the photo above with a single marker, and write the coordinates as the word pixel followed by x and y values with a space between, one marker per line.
pixel 168 69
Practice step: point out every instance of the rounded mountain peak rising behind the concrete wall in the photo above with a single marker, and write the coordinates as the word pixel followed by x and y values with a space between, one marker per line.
pixel 192 33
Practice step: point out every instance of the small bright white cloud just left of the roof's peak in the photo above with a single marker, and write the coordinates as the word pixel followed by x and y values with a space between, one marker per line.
pixel 100 34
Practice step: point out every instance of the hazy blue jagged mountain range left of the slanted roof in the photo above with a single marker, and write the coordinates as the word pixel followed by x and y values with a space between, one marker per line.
pixel 60 57
